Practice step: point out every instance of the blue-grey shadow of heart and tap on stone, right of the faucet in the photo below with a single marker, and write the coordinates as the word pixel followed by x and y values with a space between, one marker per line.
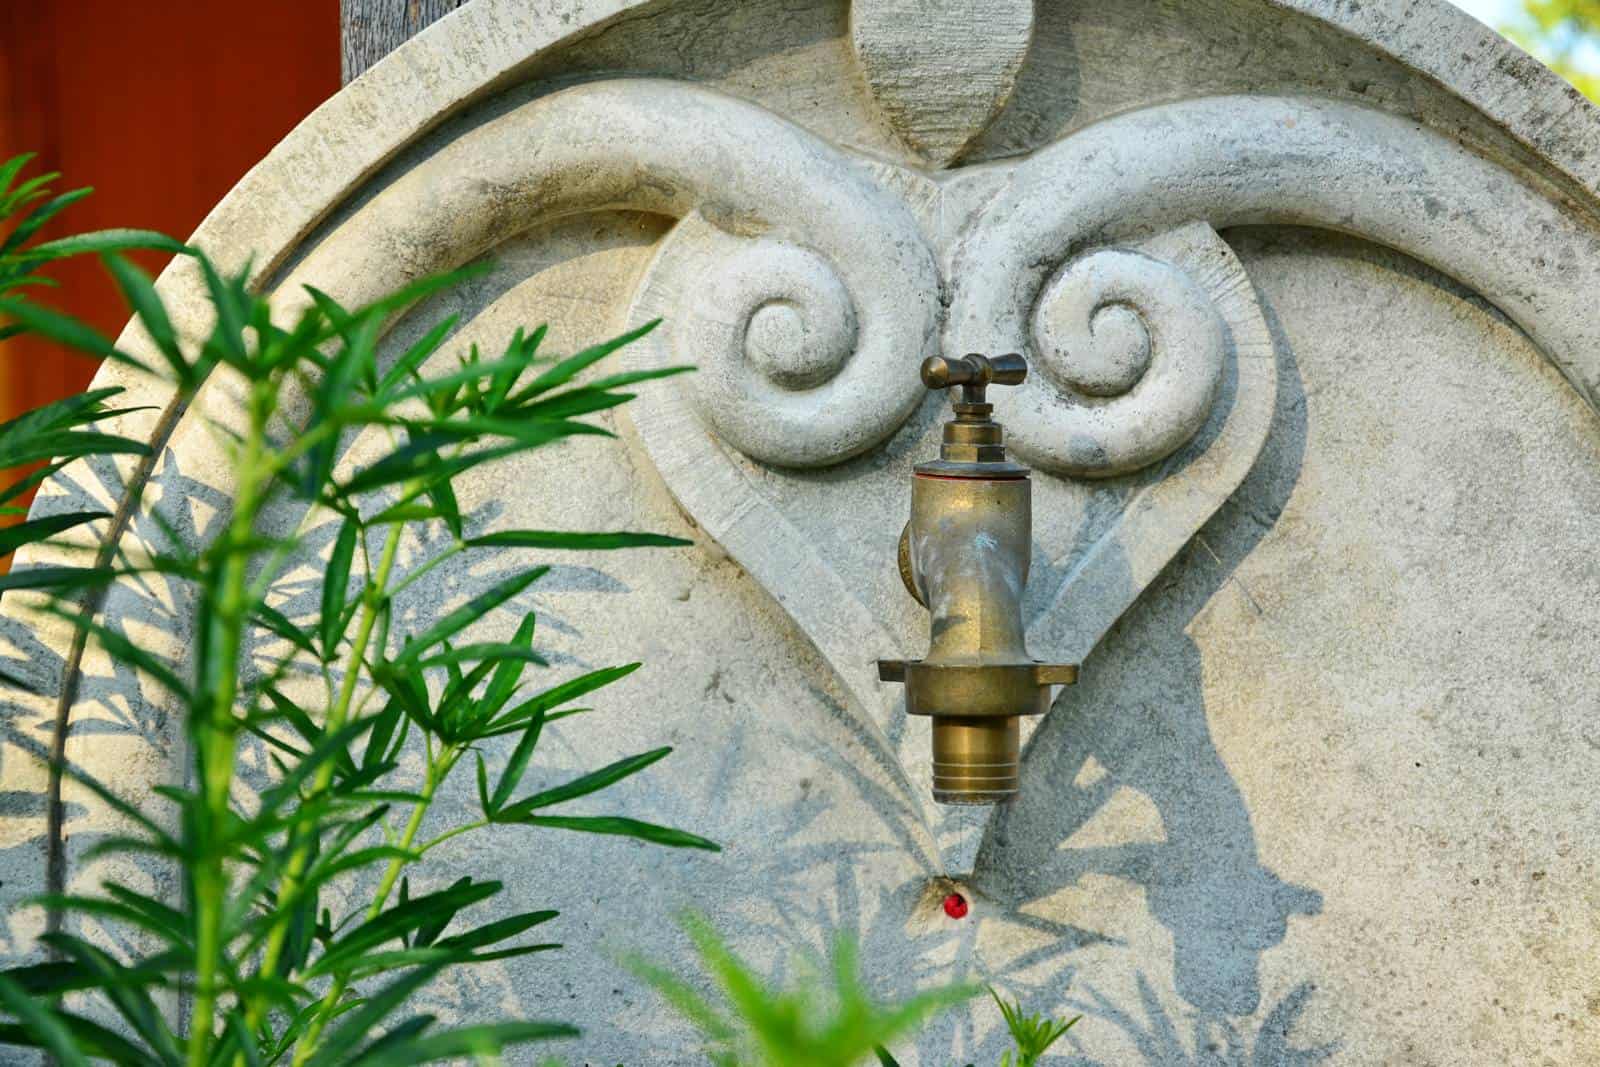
pixel 1138 721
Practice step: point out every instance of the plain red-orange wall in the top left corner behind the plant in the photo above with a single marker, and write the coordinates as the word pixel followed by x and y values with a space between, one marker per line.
pixel 161 106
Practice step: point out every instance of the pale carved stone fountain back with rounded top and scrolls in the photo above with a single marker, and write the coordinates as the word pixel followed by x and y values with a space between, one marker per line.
pixel 1310 295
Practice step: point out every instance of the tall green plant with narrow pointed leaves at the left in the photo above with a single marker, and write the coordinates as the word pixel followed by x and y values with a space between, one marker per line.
pixel 274 965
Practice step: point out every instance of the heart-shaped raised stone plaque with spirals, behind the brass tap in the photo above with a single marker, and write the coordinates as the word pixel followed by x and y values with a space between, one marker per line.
pixel 822 541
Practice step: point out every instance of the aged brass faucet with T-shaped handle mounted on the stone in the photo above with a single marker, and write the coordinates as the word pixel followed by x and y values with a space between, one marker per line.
pixel 964 556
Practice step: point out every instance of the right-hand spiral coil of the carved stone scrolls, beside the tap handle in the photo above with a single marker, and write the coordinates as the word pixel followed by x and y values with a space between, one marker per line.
pixel 1129 356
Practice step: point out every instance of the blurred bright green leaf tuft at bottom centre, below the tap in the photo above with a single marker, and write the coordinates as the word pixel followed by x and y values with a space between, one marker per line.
pixel 815 1025
